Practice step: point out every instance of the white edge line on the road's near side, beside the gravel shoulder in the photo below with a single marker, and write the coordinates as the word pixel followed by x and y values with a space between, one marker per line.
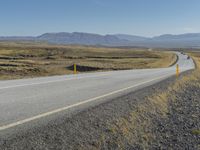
pixel 11 125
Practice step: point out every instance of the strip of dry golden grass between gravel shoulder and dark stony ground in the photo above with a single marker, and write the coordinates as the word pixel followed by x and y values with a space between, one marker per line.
pixel 135 127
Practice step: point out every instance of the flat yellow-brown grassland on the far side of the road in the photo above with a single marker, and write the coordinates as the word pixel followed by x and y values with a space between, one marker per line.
pixel 25 60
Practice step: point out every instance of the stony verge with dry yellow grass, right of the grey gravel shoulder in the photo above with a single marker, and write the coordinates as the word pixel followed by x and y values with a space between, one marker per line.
pixel 168 119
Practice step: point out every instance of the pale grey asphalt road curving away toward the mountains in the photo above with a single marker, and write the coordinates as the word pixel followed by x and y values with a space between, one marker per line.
pixel 27 100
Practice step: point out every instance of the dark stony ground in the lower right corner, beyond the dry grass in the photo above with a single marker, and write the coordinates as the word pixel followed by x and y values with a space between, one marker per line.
pixel 181 128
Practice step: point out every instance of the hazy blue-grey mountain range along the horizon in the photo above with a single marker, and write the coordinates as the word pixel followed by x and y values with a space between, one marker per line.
pixel 189 40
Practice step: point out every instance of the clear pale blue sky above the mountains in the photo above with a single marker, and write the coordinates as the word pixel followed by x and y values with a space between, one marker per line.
pixel 138 17
